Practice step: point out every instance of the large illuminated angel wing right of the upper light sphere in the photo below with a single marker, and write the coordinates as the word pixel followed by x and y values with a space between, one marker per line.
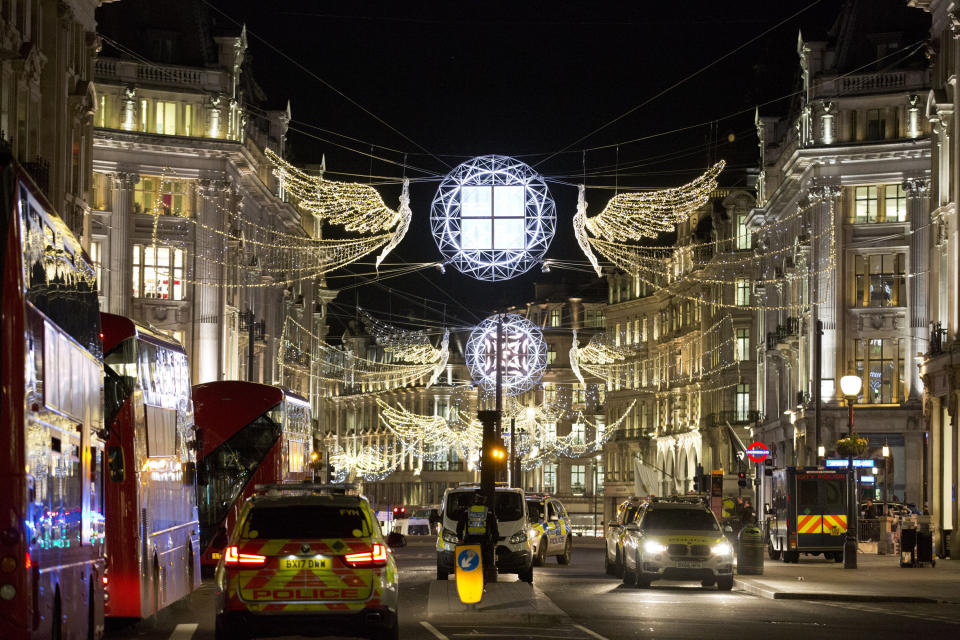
pixel 633 215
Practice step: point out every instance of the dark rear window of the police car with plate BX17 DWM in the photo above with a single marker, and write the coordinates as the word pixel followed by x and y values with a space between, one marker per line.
pixel 306 521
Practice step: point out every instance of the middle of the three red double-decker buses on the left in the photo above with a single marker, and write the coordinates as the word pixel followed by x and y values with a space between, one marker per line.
pixel 153 535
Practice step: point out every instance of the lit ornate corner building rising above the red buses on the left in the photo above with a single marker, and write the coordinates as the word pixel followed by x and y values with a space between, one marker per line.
pixel 188 219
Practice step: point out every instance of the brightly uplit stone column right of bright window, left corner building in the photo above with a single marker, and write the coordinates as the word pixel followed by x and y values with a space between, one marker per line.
pixel 207 312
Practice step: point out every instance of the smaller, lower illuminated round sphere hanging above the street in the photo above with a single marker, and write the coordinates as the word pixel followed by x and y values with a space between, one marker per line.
pixel 524 354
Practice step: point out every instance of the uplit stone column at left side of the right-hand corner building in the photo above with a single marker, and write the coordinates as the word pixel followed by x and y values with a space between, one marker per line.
pixel 827 245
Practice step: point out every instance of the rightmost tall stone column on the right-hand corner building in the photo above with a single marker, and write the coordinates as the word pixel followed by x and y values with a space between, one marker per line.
pixel 917 307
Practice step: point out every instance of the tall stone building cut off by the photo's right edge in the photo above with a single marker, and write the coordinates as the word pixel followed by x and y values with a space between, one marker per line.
pixel 940 240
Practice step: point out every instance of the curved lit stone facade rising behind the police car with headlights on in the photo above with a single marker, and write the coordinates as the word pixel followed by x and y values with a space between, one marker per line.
pixel 689 368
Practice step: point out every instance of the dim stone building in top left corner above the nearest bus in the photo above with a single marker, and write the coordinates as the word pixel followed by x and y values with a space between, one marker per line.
pixel 47 98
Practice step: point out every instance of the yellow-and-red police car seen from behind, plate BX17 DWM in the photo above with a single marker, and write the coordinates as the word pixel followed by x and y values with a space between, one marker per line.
pixel 306 559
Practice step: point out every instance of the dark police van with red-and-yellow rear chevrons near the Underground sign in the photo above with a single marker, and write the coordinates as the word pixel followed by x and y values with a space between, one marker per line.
pixel 808 513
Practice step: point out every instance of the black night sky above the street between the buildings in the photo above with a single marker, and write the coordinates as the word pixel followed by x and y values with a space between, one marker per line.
pixel 523 78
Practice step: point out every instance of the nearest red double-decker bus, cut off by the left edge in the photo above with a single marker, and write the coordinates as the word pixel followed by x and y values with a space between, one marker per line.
pixel 51 412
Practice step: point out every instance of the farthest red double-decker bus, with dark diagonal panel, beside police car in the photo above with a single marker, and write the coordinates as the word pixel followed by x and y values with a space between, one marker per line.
pixel 250 434
